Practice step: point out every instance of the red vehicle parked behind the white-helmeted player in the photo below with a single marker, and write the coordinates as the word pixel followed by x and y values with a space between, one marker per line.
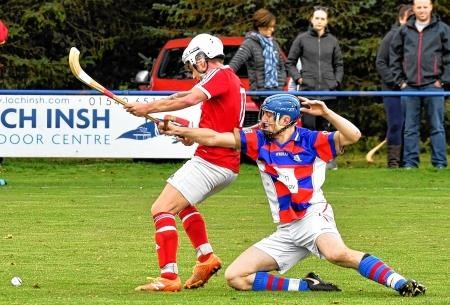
pixel 168 72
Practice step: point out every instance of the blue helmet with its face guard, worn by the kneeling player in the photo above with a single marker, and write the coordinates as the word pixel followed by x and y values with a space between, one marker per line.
pixel 280 105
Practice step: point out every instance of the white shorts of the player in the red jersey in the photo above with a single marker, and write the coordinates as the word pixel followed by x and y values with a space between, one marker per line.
pixel 198 179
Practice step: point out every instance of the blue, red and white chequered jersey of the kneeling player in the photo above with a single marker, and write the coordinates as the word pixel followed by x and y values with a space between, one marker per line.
pixel 293 172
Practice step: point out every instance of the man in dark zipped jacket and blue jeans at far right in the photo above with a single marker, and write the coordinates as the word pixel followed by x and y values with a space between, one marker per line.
pixel 420 62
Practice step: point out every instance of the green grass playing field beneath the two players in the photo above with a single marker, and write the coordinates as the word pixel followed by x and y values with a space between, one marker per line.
pixel 78 232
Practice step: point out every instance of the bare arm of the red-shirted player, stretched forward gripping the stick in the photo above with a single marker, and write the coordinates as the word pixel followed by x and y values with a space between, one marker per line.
pixel 174 102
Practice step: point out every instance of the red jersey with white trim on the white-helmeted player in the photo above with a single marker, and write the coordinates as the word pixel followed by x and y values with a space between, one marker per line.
pixel 223 111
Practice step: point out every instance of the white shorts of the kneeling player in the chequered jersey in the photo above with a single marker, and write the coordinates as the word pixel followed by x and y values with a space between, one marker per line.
pixel 294 241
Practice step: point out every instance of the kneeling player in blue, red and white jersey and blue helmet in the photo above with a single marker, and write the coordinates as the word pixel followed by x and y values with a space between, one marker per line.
pixel 292 163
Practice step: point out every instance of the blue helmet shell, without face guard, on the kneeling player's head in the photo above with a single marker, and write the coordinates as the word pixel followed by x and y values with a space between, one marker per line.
pixel 280 105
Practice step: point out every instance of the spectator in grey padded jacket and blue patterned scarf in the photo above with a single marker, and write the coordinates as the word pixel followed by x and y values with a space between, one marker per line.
pixel 262 55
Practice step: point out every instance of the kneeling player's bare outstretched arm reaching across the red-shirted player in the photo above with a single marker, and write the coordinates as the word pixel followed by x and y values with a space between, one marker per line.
pixel 203 136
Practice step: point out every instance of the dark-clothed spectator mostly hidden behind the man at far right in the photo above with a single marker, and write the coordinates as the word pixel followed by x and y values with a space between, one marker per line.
pixel 392 104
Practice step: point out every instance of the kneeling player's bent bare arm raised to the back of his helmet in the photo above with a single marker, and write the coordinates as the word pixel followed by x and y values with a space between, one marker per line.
pixel 347 133
